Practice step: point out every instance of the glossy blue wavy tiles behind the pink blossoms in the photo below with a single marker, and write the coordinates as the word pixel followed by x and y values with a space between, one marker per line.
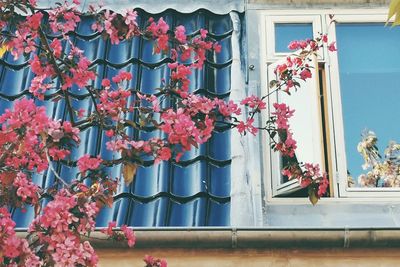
pixel 193 192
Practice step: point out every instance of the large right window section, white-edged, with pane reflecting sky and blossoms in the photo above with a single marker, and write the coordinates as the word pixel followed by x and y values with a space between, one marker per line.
pixel 365 71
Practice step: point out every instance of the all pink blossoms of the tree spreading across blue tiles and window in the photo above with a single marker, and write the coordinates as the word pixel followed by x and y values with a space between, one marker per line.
pixel 30 139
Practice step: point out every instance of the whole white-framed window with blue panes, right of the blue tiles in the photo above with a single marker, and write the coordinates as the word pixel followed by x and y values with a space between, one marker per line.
pixel 353 94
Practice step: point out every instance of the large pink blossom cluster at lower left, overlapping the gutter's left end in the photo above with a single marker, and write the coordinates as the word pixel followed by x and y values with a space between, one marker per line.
pixel 59 226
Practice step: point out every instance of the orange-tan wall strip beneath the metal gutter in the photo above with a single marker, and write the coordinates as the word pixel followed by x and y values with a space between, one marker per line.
pixel 255 258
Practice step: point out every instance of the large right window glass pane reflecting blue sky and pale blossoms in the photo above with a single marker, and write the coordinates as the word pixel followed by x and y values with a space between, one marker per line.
pixel 369 67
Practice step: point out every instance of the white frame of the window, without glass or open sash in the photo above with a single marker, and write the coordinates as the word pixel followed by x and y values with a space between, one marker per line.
pixel 339 189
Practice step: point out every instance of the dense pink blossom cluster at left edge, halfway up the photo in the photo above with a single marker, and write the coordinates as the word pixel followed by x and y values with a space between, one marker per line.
pixel 27 135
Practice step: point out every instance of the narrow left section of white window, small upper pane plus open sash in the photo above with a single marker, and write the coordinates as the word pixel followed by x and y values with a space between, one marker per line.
pixel 280 30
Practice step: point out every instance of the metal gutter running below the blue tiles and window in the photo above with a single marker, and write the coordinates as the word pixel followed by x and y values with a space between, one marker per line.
pixel 257 238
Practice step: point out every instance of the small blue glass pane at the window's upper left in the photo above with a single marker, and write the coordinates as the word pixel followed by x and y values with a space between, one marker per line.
pixel 287 32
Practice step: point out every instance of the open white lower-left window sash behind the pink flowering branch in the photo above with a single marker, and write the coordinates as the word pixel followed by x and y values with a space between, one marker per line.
pixel 306 125
